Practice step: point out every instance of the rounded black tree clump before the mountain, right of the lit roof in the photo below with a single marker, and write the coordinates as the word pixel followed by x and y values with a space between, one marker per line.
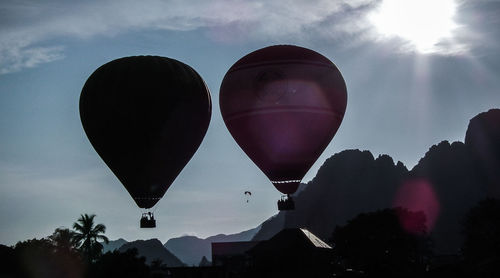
pixel 376 243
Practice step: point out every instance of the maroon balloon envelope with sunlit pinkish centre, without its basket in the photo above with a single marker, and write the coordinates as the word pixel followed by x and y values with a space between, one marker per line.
pixel 283 105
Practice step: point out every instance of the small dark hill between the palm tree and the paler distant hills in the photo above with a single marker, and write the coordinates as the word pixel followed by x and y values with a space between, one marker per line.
pixel 152 249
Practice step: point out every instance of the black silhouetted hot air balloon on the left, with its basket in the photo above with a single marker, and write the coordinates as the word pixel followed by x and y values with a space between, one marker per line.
pixel 145 116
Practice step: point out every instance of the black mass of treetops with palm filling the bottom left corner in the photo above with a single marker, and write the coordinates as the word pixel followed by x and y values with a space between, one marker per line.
pixel 58 256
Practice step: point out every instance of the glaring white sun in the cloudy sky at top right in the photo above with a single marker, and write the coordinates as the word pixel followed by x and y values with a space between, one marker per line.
pixel 424 23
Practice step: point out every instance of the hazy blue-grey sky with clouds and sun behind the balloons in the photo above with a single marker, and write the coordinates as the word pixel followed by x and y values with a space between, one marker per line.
pixel 416 72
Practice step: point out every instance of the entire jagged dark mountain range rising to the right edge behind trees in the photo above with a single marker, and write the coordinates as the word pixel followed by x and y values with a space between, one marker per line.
pixel 353 182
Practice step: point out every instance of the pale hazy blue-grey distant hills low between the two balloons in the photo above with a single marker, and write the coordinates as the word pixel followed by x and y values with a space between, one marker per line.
pixel 191 249
